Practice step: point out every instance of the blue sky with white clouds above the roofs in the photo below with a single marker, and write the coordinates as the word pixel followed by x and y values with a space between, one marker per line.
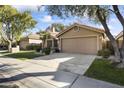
pixel 44 20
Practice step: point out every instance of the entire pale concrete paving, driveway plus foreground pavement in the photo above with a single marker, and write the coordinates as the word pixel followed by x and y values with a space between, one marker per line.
pixel 53 71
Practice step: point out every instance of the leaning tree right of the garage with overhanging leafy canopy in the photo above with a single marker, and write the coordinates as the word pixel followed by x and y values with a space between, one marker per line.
pixel 96 13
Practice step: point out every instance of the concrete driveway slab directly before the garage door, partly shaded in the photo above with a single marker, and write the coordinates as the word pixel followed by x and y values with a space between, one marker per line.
pixel 75 63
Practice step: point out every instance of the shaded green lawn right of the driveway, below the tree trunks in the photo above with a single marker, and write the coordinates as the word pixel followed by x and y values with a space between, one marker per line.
pixel 103 70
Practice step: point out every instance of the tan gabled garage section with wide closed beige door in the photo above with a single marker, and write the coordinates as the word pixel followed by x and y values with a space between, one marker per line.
pixel 80 38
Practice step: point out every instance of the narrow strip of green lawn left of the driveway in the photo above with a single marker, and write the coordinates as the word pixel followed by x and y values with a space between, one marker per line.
pixel 23 55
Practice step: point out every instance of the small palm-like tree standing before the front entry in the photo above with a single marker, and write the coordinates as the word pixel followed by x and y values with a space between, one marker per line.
pixel 43 36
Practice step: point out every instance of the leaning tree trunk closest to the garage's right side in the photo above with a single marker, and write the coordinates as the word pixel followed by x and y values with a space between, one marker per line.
pixel 110 36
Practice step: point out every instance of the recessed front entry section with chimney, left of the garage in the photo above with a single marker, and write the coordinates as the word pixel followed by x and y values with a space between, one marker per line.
pixel 52 42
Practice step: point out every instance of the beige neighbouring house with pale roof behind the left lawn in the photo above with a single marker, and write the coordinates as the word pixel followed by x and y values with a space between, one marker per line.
pixel 30 39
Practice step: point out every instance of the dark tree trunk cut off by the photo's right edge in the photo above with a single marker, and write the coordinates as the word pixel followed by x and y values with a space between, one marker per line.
pixel 121 19
